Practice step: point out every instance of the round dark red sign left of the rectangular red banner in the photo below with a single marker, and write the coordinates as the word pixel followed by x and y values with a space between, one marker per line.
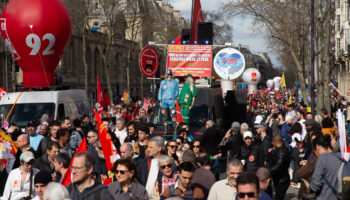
pixel 149 62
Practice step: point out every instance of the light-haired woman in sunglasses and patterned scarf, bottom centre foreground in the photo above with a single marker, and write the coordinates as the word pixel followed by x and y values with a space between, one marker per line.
pixel 167 178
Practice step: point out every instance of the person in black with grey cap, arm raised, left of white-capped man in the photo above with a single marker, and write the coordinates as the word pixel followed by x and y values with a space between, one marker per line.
pixel 232 142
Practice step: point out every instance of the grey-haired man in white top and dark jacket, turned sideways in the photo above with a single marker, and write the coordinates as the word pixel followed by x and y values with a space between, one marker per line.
pixel 148 167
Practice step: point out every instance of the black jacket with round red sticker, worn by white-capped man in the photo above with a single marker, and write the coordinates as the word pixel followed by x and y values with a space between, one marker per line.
pixel 253 157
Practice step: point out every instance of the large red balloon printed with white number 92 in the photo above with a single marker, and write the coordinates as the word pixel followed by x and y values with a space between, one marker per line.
pixel 36 32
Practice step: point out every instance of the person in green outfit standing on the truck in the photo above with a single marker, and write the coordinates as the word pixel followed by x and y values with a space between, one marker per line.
pixel 187 96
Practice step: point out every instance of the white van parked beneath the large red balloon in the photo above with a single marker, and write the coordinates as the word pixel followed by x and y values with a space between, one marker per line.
pixel 32 105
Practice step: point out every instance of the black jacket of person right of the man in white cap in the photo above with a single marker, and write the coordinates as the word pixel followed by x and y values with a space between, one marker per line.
pixel 278 164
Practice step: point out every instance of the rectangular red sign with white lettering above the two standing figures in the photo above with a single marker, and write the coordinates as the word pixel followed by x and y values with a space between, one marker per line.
pixel 190 59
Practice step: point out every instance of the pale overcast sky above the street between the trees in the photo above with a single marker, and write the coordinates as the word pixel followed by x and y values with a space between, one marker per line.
pixel 242 31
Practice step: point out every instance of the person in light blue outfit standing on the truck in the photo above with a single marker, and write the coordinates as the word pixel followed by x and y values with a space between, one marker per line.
pixel 168 93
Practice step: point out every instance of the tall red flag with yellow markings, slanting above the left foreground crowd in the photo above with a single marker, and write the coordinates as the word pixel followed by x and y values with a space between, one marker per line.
pixel 109 151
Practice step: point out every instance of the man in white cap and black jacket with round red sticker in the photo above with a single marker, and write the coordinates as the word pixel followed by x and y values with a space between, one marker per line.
pixel 251 154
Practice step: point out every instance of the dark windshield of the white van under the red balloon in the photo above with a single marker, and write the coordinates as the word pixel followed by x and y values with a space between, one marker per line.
pixel 23 113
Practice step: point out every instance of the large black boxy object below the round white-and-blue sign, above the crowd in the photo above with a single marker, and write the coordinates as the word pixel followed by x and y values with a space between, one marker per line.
pixel 235 107
